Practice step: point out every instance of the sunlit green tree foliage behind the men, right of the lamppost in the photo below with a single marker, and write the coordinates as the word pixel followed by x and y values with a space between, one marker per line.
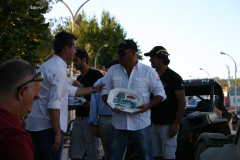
pixel 92 35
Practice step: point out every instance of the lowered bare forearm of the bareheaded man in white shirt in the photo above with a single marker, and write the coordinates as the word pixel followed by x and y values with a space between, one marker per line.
pixel 54 116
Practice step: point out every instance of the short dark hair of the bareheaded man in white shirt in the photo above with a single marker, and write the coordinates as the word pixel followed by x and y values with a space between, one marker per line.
pixel 63 39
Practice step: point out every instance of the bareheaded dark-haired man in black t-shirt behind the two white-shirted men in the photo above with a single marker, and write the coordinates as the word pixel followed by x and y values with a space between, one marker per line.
pixel 82 138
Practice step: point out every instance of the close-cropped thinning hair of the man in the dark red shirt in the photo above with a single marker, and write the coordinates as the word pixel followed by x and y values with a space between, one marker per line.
pixel 14 73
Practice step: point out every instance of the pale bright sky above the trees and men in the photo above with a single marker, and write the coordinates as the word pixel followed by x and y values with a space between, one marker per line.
pixel 194 32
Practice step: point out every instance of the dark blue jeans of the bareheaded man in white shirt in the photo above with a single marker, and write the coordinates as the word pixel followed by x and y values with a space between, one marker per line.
pixel 42 142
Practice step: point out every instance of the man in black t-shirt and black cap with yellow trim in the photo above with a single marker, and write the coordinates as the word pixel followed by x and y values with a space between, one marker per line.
pixel 166 116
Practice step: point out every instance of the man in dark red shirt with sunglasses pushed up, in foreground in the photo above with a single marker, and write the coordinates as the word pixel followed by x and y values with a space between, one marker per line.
pixel 19 87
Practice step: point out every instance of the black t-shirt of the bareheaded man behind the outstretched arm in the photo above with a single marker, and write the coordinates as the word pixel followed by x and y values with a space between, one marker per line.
pixel 87 81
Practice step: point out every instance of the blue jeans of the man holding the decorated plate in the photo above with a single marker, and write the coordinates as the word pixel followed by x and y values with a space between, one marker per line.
pixel 142 140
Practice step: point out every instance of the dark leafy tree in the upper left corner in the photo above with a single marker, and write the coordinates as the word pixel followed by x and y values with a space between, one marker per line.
pixel 23 29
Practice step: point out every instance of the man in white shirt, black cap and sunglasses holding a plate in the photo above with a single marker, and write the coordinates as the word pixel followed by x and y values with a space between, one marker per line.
pixel 131 74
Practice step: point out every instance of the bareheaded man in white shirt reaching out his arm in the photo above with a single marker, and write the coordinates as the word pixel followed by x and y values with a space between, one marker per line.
pixel 48 119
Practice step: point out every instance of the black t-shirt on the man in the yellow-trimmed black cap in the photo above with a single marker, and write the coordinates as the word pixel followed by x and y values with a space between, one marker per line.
pixel 165 112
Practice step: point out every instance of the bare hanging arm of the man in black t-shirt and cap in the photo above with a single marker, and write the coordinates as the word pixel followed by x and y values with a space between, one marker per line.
pixel 180 95
